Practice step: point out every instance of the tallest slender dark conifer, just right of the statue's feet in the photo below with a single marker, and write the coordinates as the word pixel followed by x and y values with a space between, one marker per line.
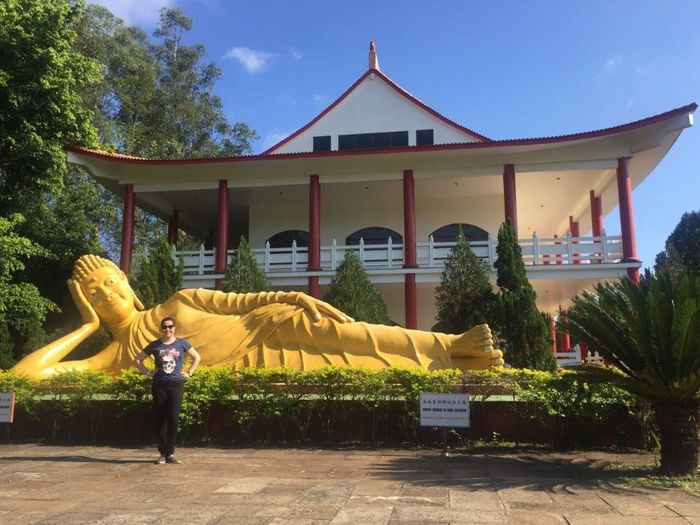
pixel 521 326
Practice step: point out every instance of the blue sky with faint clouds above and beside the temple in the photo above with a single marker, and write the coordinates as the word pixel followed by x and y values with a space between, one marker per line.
pixel 506 69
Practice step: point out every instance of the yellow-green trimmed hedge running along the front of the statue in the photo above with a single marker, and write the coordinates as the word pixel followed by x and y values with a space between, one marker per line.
pixel 283 398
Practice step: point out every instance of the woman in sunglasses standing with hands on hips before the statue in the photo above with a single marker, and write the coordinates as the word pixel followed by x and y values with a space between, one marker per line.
pixel 168 384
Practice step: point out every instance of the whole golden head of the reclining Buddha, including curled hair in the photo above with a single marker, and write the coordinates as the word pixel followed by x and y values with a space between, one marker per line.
pixel 106 288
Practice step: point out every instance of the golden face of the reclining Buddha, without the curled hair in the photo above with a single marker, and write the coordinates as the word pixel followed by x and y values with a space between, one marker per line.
pixel 109 293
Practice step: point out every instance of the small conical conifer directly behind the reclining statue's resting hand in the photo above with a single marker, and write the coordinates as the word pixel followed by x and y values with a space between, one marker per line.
pixel 352 292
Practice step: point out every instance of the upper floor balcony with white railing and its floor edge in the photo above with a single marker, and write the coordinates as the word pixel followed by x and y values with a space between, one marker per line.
pixel 545 258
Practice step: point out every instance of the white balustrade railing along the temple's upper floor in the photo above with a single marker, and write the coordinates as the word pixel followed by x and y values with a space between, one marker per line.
pixel 536 251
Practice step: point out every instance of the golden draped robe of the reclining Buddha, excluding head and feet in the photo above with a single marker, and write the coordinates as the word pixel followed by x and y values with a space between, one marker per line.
pixel 258 330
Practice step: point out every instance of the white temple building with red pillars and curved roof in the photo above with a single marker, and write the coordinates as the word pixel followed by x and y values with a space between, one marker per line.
pixel 382 173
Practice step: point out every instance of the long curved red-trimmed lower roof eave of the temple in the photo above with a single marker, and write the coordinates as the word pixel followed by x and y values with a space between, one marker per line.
pixel 538 141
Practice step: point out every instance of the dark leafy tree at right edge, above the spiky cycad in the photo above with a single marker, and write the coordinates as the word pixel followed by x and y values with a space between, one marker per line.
pixel 682 246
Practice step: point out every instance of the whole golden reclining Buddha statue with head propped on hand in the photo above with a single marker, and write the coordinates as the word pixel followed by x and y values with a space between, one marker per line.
pixel 266 329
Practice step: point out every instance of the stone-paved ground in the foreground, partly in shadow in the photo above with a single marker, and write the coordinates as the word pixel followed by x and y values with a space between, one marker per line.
pixel 106 485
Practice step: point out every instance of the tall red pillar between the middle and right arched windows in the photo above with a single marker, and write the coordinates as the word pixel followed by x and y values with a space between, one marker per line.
pixel 409 243
